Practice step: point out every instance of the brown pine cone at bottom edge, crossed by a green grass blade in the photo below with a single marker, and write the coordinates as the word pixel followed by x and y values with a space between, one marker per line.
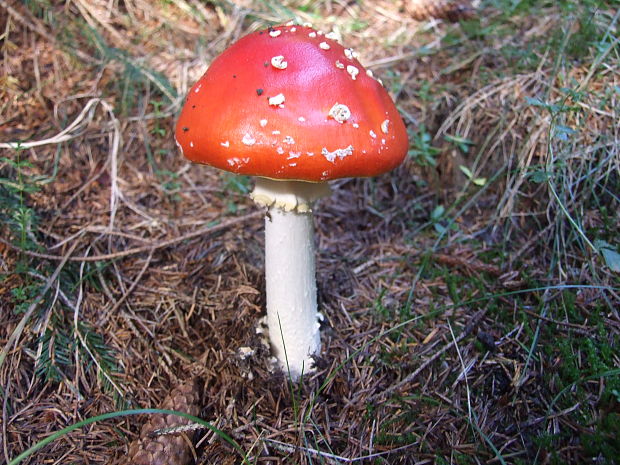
pixel 171 448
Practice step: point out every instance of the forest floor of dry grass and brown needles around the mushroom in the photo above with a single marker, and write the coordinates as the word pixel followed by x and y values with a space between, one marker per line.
pixel 464 323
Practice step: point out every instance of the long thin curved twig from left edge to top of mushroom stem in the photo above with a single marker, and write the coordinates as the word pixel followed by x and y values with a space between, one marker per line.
pixel 145 248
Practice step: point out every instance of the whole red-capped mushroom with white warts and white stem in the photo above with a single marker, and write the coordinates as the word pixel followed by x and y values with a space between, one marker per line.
pixel 295 108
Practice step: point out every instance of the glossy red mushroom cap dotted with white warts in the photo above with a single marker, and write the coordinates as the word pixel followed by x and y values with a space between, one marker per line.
pixel 291 103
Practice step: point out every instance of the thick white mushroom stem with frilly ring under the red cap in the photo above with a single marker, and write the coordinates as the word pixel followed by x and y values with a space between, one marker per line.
pixel 292 315
